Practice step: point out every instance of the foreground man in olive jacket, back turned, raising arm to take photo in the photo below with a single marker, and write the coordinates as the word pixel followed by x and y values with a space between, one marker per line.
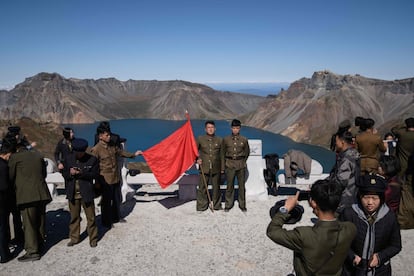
pixel 320 249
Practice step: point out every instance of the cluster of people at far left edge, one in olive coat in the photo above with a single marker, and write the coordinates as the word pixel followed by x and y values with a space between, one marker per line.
pixel 24 194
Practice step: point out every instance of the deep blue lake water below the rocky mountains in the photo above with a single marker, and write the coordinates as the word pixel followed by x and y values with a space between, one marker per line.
pixel 144 133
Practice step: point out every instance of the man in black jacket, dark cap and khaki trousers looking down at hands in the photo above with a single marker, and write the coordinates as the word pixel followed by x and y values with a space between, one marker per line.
pixel 80 169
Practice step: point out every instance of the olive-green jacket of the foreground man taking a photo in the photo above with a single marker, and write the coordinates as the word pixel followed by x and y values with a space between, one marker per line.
pixel 313 245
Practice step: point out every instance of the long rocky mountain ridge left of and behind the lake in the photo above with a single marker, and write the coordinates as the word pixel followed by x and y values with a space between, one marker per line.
pixel 51 97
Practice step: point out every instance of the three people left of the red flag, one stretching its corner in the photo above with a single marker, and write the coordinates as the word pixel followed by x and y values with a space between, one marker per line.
pixel 89 173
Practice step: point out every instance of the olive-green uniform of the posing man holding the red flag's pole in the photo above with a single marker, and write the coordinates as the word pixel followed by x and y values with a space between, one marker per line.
pixel 209 148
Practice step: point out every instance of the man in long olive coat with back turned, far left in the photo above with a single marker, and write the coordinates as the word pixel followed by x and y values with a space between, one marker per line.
pixel 27 170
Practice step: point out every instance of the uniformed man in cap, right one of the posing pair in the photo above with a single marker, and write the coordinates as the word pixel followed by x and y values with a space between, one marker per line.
pixel 236 151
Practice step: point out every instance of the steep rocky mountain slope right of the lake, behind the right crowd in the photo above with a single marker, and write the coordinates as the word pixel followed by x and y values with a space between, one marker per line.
pixel 311 109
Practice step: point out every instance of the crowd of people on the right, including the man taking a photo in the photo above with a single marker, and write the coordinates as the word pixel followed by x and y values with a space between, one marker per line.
pixel 361 206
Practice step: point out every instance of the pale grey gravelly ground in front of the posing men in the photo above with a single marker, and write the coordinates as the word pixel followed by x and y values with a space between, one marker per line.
pixel 165 236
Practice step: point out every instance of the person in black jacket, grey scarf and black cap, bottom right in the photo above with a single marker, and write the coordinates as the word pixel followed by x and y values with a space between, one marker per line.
pixel 378 236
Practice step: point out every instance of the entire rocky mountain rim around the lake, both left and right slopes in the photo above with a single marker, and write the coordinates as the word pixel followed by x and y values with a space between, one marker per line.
pixel 309 111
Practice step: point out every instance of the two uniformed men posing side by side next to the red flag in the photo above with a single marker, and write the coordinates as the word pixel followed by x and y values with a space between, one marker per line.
pixel 218 156
